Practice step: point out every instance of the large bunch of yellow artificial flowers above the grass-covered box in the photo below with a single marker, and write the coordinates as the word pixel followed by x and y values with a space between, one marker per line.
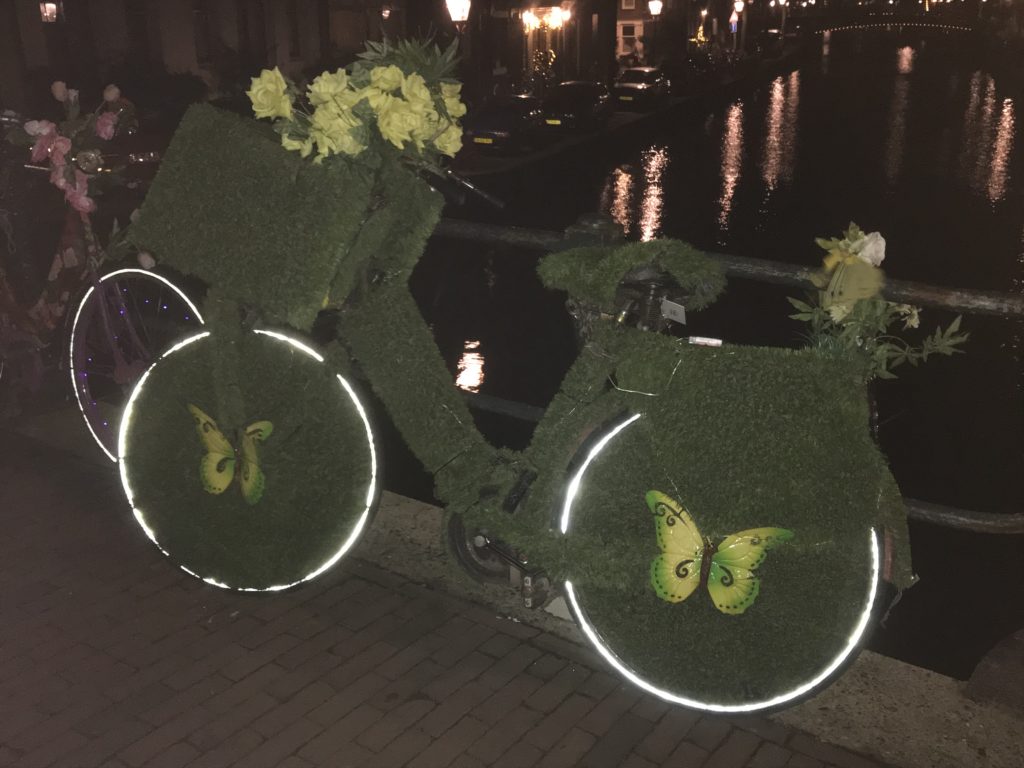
pixel 398 100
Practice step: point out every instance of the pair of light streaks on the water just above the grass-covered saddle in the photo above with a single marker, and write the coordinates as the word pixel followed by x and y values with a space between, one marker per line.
pixel 626 183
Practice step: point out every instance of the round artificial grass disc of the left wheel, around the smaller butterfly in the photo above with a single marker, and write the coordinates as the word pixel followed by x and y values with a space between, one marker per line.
pixel 317 464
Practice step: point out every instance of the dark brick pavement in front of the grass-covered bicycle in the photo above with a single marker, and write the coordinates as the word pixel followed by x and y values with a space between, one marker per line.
pixel 111 657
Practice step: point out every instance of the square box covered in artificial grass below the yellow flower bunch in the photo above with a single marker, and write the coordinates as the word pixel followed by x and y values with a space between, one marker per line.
pixel 268 228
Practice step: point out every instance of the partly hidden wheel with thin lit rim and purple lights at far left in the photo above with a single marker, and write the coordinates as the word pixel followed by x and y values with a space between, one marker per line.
pixel 120 327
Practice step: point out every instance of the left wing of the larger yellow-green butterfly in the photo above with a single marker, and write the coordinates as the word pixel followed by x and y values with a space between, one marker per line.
pixel 676 573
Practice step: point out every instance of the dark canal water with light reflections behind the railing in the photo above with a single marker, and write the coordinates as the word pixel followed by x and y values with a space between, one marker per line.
pixel 904 134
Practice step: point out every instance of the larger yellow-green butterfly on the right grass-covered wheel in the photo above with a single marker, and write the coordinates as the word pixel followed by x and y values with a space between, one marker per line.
pixel 688 560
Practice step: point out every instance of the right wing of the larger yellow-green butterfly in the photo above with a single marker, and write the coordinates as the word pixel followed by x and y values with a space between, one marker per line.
pixel 732 582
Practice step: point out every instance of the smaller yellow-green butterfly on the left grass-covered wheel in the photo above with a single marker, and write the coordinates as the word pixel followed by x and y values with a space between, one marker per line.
pixel 222 463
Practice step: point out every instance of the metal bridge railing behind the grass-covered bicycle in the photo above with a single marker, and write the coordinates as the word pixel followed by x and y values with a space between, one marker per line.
pixel 598 230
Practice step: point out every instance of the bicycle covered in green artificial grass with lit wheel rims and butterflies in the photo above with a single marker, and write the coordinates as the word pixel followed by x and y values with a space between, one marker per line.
pixel 712 515
